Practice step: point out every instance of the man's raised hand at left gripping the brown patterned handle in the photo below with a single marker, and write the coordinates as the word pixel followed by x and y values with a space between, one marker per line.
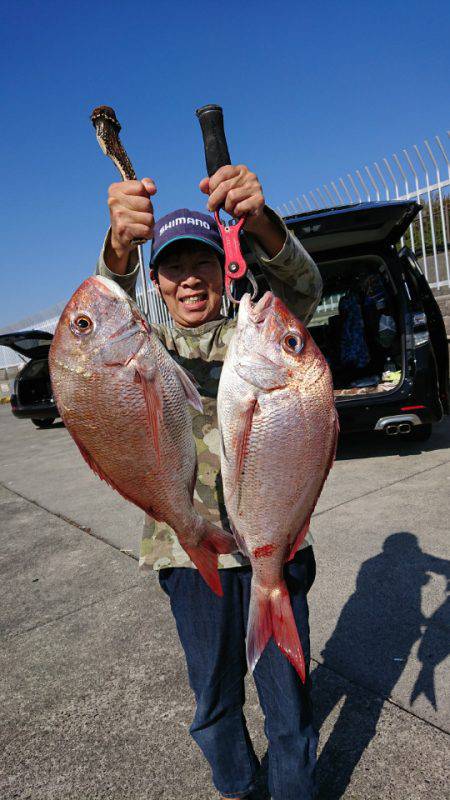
pixel 131 213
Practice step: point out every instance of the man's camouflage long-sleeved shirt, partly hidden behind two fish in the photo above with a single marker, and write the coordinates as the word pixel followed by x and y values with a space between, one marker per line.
pixel 292 276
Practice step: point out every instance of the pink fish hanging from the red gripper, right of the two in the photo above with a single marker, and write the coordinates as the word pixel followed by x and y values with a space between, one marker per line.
pixel 279 429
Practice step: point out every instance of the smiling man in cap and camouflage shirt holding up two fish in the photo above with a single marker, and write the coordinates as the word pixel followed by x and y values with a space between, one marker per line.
pixel 187 271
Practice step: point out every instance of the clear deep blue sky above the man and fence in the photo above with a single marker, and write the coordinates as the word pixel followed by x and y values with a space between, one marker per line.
pixel 310 91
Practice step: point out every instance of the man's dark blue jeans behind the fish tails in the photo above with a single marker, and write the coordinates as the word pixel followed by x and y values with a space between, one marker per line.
pixel 212 632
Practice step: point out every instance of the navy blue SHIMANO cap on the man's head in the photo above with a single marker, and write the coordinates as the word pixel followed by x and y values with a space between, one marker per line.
pixel 185 224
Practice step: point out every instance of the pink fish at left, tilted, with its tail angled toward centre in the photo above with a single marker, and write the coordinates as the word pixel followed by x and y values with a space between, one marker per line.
pixel 124 400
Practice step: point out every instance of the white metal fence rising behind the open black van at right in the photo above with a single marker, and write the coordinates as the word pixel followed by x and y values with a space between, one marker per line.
pixel 421 174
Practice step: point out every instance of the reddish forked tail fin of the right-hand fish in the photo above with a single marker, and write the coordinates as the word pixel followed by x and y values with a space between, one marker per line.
pixel 270 614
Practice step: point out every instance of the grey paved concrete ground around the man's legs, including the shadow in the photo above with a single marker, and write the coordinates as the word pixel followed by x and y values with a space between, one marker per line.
pixel 94 697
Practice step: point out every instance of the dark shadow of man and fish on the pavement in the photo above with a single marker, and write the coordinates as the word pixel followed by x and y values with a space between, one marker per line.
pixel 369 648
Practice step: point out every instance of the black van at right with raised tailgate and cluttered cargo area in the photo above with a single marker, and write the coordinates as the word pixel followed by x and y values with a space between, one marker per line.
pixel 378 323
